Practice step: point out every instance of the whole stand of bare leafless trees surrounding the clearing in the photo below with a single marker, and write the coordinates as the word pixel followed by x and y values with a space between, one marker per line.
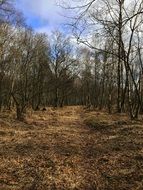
pixel 105 71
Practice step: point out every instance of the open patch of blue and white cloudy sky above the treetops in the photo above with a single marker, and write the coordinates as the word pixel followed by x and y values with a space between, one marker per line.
pixel 42 15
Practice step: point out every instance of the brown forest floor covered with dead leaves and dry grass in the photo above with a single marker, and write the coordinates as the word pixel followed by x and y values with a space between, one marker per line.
pixel 71 149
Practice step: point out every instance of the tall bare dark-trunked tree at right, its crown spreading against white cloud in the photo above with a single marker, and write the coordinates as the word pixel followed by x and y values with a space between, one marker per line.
pixel 106 19
